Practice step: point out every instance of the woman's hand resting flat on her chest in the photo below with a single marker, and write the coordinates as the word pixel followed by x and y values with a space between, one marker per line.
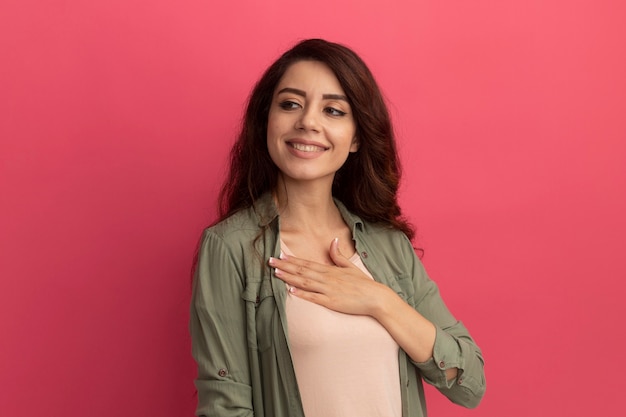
pixel 342 287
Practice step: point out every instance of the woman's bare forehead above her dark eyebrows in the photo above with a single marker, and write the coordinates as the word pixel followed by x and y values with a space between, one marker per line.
pixel 313 76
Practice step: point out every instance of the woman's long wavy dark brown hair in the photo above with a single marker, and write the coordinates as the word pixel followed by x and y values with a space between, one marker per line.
pixel 368 181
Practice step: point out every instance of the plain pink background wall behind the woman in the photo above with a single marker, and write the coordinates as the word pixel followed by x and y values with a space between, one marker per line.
pixel 115 120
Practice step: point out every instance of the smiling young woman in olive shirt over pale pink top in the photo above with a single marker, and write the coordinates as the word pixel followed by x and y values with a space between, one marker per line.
pixel 308 296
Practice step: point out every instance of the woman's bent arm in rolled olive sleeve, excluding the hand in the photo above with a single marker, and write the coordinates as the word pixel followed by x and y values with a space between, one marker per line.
pixel 448 358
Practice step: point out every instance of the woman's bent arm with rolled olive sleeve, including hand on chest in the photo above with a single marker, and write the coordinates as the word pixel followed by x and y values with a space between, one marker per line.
pixel 438 345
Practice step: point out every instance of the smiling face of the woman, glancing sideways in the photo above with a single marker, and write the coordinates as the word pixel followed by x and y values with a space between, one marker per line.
pixel 311 129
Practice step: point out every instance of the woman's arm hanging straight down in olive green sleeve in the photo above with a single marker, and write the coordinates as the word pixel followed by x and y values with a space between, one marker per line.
pixel 218 333
